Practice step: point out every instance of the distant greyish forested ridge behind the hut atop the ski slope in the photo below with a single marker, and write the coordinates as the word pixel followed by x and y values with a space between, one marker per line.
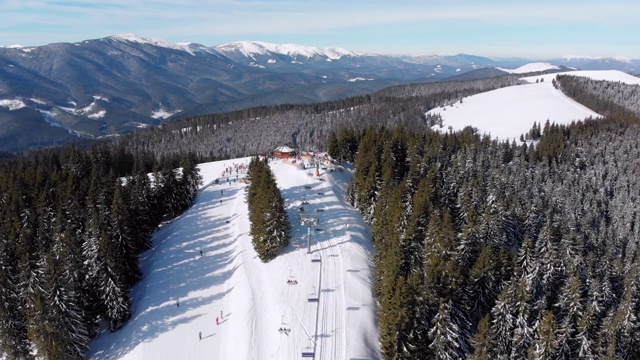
pixel 306 127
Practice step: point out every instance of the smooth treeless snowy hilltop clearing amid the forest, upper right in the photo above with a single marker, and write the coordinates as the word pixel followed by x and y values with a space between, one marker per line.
pixel 509 112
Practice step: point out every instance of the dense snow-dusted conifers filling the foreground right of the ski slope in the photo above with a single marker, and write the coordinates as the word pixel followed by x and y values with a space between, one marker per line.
pixel 488 250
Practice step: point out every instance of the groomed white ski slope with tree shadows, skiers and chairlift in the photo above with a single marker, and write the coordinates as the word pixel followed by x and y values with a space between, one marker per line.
pixel 263 310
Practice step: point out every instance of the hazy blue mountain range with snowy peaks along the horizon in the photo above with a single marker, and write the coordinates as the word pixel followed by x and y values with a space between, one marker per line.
pixel 104 87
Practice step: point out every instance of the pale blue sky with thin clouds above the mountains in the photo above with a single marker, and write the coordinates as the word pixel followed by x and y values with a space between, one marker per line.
pixel 534 29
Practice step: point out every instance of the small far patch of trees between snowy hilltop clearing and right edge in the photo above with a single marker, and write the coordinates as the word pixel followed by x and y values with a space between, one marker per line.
pixel 603 97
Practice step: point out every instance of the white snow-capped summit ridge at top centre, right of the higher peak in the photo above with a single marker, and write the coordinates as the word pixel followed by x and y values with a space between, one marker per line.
pixel 252 48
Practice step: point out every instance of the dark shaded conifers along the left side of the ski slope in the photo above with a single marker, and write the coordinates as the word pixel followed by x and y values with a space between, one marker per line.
pixel 72 225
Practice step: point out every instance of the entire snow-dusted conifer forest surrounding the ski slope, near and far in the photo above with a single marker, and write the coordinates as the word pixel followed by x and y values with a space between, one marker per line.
pixel 484 249
